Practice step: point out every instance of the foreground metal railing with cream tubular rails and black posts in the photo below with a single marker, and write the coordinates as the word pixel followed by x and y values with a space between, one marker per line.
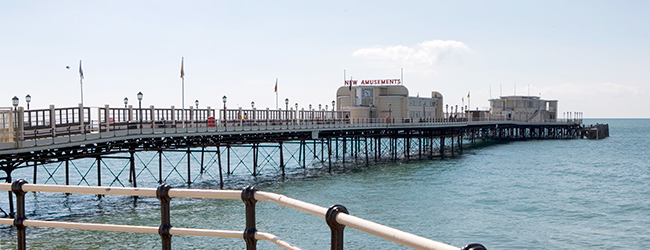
pixel 336 217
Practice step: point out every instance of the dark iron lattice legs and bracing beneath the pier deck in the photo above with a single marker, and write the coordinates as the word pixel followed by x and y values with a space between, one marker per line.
pixel 253 149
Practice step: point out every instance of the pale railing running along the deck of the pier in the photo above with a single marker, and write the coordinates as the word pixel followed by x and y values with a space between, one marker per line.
pixel 19 125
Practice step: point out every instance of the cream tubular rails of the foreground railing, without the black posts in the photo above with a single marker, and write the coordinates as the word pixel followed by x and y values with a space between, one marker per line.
pixel 388 233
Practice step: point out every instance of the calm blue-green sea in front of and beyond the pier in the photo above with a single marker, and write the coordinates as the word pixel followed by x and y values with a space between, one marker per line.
pixel 554 194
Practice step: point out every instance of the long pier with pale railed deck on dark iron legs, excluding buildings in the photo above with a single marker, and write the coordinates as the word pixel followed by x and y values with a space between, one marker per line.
pixel 268 142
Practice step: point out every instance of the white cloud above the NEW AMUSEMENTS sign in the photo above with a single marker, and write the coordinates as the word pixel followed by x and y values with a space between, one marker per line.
pixel 423 57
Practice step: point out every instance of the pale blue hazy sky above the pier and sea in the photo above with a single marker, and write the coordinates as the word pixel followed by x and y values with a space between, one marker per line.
pixel 591 56
